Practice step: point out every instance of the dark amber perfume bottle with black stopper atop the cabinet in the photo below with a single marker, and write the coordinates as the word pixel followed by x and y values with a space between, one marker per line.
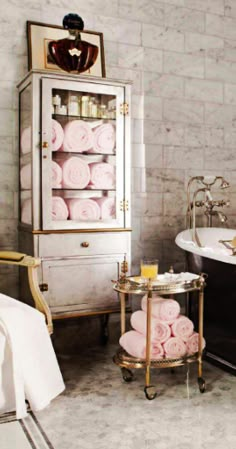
pixel 72 54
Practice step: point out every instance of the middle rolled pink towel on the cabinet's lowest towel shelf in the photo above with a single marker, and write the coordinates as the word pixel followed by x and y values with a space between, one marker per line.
pixel 84 209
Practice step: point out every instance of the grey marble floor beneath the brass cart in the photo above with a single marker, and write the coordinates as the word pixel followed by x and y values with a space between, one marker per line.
pixel 99 410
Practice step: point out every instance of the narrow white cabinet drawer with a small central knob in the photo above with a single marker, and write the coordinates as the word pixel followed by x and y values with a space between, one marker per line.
pixel 58 245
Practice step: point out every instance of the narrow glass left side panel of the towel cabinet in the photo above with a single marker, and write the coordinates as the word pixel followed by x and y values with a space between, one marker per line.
pixel 25 139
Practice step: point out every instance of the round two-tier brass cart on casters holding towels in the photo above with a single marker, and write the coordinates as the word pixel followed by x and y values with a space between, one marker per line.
pixel 127 286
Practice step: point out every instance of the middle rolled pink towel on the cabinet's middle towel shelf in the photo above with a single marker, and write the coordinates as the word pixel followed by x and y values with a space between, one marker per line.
pixel 75 173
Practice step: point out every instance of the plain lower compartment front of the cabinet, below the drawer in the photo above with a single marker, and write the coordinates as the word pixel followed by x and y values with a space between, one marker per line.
pixel 81 285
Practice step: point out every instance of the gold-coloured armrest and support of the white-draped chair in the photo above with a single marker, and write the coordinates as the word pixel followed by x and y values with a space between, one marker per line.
pixel 31 263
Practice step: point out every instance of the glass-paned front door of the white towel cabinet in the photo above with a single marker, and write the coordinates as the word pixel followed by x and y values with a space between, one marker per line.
pixel 82 152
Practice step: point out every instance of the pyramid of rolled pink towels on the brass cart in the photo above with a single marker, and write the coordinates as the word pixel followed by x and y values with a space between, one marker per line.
pixel 172 334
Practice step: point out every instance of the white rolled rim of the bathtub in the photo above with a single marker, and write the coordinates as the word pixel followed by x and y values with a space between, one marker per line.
pixel 188 245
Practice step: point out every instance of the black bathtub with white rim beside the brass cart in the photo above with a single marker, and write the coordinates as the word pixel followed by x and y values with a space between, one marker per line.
pixel 216 259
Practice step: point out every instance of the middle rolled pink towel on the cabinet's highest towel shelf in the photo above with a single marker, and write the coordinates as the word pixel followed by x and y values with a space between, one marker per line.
pixel 78 137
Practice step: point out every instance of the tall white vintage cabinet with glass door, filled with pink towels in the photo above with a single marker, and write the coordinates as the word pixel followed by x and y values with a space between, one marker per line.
pixel 74 205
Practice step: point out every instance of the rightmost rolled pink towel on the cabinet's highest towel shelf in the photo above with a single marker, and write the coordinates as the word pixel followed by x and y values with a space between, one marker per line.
pixel 104 139
